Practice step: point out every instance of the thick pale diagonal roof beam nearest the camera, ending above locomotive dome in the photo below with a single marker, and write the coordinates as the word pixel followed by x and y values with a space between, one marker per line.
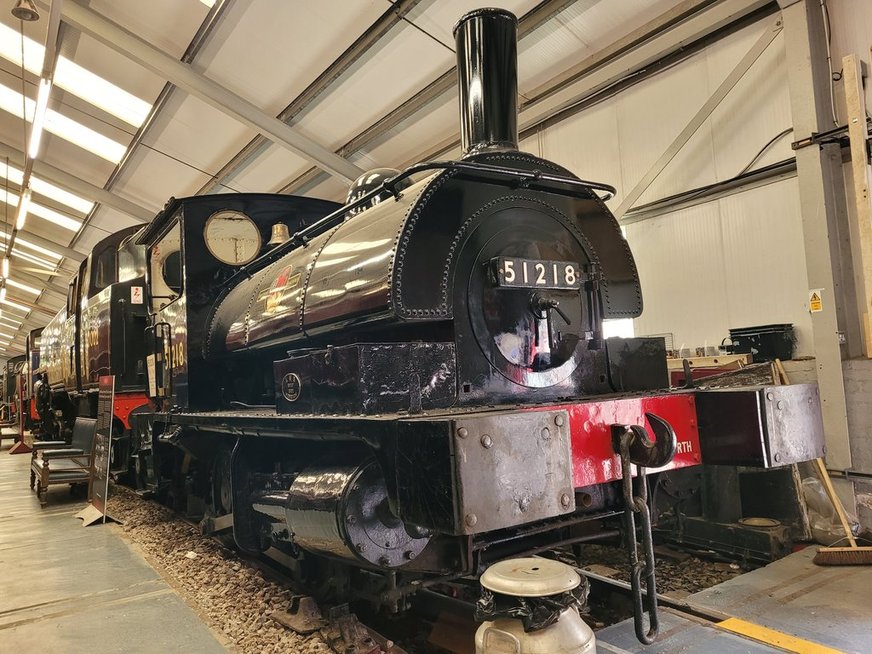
pixel 183 75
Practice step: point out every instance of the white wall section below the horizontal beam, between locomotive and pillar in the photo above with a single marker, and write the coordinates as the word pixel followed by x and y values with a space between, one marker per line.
pixel 735 262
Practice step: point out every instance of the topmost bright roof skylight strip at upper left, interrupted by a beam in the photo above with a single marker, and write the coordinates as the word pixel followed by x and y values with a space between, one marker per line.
pixel 73 78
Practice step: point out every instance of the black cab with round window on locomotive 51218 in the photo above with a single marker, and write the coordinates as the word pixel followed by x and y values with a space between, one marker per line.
pixel 193 248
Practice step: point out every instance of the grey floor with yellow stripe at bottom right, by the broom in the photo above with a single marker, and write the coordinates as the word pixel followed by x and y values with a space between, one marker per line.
pixel 790 605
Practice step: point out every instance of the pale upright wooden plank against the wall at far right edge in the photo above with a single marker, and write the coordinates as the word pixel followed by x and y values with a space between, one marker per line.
pixel 856 105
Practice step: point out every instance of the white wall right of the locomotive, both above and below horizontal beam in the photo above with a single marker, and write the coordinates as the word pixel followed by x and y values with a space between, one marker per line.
pixel 734 262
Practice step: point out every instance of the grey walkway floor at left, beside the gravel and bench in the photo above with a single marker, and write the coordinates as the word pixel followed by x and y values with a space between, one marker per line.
pixel 68 589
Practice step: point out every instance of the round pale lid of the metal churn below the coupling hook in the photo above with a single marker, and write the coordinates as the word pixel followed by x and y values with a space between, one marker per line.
pixel 530 577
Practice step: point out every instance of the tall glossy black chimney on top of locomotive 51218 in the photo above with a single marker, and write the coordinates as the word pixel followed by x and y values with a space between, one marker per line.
pixel 487 76
